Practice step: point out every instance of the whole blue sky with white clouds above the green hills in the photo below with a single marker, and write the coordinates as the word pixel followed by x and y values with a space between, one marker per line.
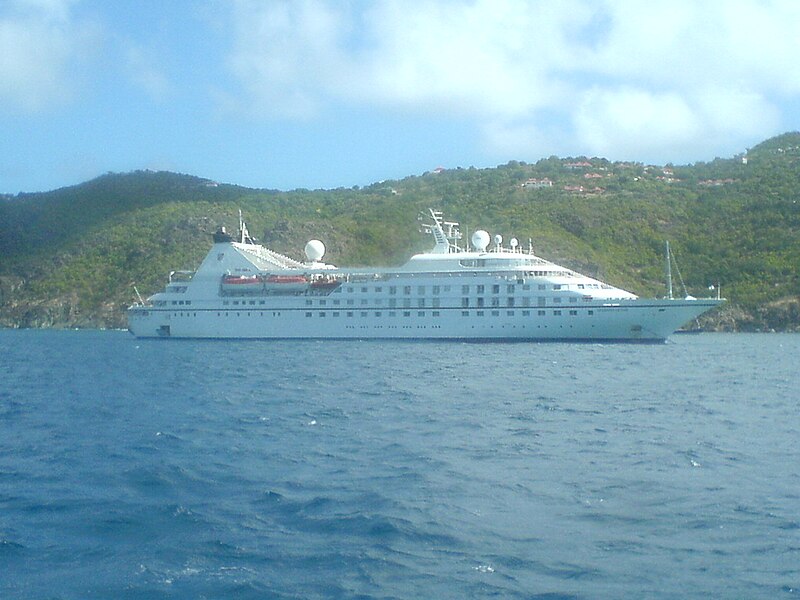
pixel 327 94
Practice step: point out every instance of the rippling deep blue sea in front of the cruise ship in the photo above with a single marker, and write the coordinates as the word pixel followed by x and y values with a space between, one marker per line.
pixel 199 469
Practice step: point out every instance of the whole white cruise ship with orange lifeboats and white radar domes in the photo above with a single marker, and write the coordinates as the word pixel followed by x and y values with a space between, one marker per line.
pixel 483 291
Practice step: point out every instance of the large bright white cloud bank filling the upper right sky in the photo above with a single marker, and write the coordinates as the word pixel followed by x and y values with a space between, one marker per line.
pixel 621 76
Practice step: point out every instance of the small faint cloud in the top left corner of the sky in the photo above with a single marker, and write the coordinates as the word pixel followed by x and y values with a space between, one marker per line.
pixel 38 45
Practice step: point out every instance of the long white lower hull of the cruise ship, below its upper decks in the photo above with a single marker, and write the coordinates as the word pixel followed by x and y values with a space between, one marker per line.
pixel 626 321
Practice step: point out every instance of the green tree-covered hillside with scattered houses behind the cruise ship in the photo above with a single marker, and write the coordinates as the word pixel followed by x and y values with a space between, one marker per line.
pixel 71 257
